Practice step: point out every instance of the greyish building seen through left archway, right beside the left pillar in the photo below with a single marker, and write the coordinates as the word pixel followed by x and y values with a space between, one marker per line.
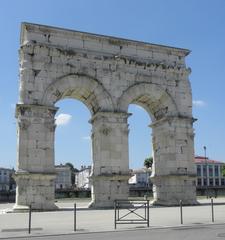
pixel 63 177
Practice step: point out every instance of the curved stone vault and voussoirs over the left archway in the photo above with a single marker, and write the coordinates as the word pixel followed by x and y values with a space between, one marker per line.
pixel 81 87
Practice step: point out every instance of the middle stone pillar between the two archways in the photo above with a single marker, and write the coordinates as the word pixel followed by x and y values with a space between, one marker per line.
pixel 110 172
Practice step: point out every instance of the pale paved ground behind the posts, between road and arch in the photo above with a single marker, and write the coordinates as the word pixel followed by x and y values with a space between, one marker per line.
pixel 61 222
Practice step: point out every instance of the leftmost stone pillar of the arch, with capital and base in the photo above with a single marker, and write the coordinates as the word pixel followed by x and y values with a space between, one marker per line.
pixel 35 161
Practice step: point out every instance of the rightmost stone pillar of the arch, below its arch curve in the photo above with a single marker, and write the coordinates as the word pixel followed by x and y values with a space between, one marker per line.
pixel 174 171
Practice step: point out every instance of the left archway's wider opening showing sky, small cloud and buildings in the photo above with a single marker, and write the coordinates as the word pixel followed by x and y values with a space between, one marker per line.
pixel 73 152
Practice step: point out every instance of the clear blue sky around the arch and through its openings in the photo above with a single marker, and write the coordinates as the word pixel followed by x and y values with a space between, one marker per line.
pixel 194 24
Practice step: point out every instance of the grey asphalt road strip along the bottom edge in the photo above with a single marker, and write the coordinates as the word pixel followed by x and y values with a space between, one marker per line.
pixel 198 232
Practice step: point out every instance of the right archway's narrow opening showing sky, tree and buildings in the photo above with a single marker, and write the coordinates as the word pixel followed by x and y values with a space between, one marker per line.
pixel 140 149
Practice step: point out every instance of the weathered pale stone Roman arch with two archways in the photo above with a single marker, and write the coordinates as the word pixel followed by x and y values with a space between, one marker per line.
pixel 106 74
